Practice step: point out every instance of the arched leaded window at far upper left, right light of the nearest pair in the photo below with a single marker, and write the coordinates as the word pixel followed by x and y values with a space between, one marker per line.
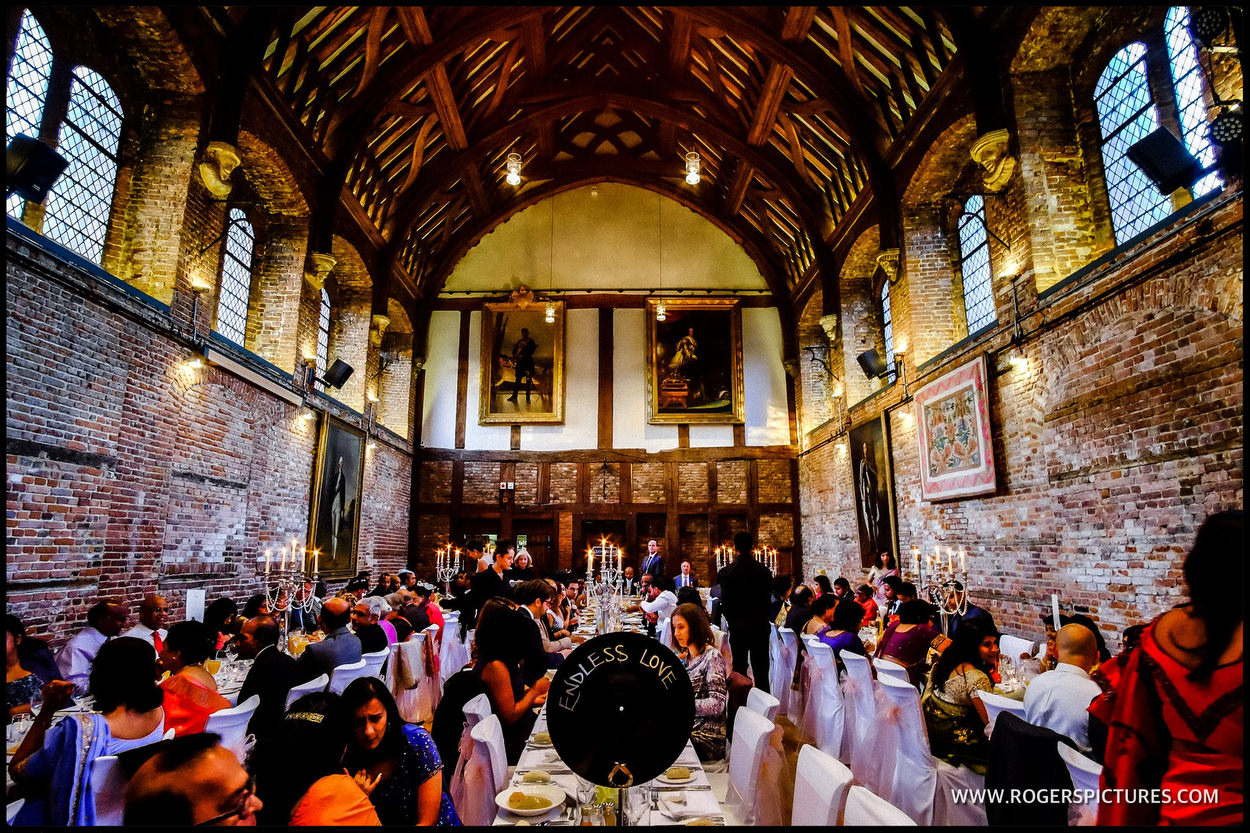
pixel 79 204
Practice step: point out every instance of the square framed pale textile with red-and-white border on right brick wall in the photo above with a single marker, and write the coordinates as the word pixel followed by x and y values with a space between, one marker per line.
pixel 953 425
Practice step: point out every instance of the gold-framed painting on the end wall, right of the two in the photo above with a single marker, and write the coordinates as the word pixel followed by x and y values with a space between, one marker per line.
pixel 694 362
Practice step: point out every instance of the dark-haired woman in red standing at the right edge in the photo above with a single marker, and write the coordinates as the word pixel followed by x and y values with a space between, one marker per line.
pixel 1178 721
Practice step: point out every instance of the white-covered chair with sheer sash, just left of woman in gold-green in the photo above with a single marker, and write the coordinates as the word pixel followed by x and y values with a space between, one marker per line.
pixel 922 785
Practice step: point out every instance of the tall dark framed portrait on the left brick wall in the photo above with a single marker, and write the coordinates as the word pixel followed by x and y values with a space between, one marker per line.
pixel 336 521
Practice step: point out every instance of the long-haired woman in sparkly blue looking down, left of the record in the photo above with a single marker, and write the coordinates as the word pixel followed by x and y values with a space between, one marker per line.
pixel 398 757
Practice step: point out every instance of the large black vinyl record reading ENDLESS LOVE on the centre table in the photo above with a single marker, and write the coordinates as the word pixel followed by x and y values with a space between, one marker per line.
pixel 621 706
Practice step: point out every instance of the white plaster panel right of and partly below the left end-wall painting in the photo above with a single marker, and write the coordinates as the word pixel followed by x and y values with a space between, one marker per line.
pixel 581 428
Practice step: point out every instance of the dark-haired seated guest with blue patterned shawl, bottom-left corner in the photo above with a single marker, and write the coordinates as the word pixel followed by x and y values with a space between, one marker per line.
pixel 54 767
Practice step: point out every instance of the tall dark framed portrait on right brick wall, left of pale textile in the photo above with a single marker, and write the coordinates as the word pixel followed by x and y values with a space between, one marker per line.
pixel 874 492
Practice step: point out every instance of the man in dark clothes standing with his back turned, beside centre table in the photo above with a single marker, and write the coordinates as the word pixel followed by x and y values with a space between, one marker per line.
pixel 746 593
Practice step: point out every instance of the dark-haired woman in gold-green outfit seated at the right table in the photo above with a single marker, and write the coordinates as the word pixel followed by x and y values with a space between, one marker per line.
pixel 954 717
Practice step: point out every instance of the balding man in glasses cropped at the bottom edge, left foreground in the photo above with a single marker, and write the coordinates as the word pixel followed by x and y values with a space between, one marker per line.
pixel 191 781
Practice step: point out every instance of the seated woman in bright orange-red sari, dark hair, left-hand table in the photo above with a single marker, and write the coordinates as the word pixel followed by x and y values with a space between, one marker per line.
pixel 191 692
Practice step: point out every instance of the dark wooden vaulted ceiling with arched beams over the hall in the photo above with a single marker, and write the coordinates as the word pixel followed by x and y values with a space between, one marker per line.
pixel 791 109
